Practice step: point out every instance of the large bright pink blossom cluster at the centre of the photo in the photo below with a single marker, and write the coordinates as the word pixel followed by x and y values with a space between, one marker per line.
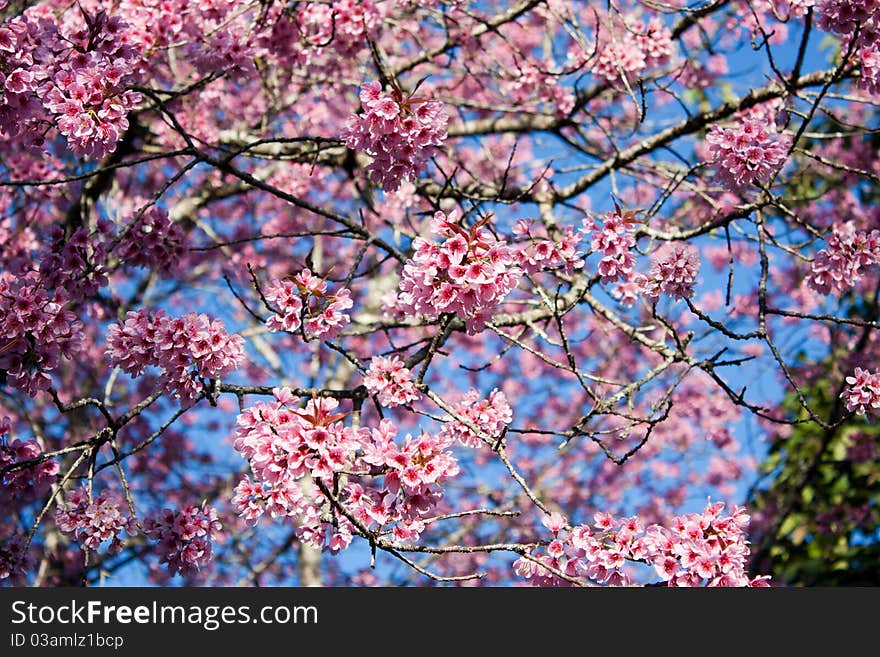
pixel 467 272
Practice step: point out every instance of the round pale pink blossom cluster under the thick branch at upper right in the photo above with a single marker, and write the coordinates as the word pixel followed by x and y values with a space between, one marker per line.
pixel 750 150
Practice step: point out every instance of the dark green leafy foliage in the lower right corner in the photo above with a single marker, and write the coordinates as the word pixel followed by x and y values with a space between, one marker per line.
pixel 818 512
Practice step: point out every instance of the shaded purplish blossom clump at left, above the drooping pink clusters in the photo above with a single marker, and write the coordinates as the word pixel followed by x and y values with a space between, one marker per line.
pixel 153 241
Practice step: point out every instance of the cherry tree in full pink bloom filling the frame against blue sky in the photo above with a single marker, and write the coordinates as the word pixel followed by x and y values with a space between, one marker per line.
pixel 366 292
